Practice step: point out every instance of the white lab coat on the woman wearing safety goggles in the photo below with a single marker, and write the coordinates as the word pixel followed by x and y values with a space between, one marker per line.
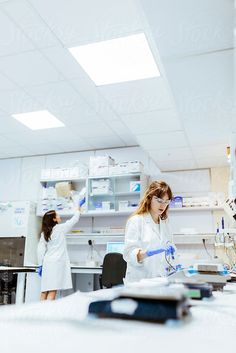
pixel 143 233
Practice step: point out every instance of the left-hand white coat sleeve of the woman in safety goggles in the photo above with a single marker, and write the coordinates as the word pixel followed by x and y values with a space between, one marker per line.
pixel 132 241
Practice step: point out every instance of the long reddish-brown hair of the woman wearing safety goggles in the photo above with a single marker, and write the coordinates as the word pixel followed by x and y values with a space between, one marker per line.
pixel 156 188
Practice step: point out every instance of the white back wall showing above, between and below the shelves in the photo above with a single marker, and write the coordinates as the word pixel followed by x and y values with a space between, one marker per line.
pixel 19 180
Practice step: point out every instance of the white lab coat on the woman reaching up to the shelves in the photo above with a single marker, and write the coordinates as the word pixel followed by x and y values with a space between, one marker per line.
pixel 53 256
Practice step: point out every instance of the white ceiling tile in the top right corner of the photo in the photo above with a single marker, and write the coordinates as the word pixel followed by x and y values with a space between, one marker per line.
pixel 190 26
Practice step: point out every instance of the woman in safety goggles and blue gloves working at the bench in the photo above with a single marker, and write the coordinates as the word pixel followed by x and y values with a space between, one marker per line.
pixel 148 239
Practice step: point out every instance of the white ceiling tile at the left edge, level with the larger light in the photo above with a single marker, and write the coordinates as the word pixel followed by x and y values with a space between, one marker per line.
pixel 29 69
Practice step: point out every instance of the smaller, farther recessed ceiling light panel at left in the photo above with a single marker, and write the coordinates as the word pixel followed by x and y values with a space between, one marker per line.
pixel 41 119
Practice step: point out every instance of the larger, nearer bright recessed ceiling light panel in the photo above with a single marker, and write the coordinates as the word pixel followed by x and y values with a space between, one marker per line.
pixel 117 60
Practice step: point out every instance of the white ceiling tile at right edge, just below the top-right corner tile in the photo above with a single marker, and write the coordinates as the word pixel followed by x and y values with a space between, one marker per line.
pixel 202 84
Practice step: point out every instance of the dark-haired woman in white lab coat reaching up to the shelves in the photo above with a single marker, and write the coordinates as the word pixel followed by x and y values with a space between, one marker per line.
pixel 53 255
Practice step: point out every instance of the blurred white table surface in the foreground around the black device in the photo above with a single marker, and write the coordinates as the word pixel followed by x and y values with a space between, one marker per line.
pixel 63 326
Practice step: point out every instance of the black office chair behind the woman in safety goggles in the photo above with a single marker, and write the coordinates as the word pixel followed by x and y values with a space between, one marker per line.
pixel 113 270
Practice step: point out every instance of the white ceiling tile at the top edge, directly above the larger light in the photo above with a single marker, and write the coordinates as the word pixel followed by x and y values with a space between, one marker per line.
pixel 77 21
